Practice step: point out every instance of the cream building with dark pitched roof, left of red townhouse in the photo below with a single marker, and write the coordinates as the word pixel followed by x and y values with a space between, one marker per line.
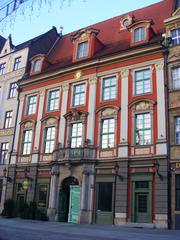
pixel 13 64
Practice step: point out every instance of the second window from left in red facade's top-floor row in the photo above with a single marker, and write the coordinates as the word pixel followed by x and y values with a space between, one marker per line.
pixel 53 100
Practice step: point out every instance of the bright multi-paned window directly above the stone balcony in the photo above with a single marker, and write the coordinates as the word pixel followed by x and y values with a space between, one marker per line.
pixel 76 135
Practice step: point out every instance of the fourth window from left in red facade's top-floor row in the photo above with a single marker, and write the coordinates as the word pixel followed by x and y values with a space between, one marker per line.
pixel 109 88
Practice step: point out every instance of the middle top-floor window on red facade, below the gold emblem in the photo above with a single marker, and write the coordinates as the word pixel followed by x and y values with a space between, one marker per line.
pixel 79 94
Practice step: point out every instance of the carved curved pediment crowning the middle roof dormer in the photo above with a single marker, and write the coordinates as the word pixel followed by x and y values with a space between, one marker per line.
pixel 84 34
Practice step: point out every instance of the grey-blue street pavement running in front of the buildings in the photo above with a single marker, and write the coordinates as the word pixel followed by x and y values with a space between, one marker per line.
pixel 17 229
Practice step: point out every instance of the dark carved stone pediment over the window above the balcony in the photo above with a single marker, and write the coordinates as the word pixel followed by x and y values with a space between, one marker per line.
pixel 76 115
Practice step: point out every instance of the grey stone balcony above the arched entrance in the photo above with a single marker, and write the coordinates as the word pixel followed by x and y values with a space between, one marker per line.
pixel 86 153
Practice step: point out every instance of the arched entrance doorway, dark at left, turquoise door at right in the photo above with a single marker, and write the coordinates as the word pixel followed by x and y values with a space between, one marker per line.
pixel 69 200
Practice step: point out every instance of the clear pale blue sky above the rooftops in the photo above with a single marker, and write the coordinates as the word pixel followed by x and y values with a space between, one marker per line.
pixel 73 15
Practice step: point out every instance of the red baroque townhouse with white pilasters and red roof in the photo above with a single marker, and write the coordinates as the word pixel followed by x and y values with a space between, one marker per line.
pixel 91 142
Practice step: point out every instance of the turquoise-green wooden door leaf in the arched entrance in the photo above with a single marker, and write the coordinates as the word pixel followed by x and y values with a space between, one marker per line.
pixel 74 204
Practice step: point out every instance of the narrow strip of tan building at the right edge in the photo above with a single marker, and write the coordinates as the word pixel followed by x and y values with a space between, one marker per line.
pixel 173 32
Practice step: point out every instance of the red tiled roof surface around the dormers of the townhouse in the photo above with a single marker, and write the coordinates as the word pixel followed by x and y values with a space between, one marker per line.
pixel 109 34
